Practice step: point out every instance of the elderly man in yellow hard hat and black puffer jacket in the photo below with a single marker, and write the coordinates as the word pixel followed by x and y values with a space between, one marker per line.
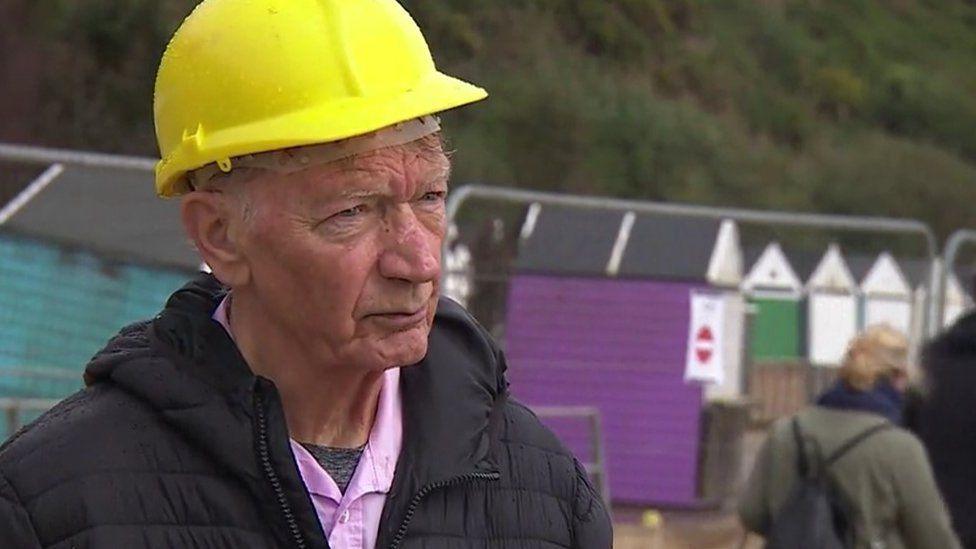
pixel 314 392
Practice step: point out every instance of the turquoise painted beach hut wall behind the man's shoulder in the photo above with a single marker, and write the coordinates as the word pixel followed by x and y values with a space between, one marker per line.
pixel 58 307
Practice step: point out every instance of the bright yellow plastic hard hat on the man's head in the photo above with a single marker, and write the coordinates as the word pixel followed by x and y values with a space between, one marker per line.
pixel 242 77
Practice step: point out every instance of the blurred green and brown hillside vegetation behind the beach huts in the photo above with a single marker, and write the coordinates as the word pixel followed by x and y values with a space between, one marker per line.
pixel 844 106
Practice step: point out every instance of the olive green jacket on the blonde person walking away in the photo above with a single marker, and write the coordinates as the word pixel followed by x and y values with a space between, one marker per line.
pixel 886 479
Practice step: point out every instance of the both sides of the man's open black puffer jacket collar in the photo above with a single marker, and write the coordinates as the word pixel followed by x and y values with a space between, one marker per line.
pixel 184 365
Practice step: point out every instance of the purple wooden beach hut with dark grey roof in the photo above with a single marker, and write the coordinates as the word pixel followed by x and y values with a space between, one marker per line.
pixel 598 315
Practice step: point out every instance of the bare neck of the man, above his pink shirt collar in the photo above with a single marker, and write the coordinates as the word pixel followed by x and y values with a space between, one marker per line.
pixel 324 403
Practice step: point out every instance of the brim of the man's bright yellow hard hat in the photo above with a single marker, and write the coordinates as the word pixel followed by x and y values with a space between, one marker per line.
pixel 328 123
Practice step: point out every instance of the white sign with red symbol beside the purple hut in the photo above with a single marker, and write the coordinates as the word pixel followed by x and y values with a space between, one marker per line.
pixel 706 356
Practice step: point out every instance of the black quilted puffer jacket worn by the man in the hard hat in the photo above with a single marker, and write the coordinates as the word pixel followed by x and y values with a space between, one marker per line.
pixel 175 443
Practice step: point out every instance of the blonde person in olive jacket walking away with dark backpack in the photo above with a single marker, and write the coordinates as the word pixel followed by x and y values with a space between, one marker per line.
pixel 882 478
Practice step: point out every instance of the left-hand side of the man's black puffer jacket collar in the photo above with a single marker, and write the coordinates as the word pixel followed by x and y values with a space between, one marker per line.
pixel 184 366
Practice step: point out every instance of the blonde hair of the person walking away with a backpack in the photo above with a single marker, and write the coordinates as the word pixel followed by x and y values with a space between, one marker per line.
pixel 879 352
